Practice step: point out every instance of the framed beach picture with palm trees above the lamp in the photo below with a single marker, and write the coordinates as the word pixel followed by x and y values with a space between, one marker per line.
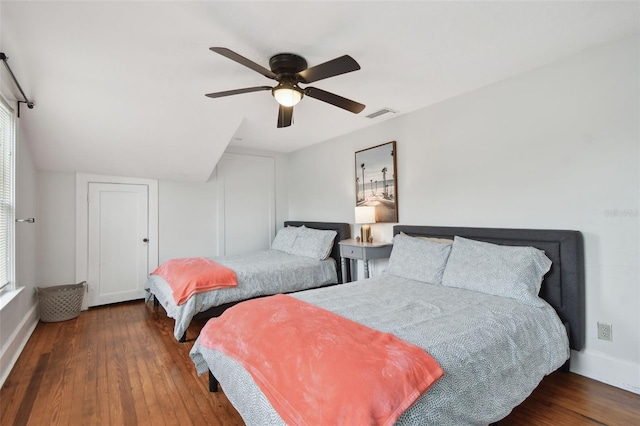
pixel 376 180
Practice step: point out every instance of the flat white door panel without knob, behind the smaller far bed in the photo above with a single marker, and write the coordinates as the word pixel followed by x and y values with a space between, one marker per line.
pixel 246 197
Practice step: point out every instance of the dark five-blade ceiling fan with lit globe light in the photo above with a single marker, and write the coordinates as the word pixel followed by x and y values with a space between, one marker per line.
pixel 289 70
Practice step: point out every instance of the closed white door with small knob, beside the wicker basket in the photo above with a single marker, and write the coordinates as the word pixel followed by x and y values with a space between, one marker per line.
pixel 118 224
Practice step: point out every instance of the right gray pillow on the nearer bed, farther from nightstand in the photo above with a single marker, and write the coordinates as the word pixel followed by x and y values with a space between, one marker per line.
pixel 508 271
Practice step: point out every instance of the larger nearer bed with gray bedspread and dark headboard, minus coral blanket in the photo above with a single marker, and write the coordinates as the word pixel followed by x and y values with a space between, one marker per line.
pixel 493 349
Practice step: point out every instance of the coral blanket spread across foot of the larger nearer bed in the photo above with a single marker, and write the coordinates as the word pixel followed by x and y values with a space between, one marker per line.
pixel 318 368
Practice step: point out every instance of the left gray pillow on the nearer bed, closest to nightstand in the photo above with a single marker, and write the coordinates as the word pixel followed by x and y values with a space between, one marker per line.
pixel 418 259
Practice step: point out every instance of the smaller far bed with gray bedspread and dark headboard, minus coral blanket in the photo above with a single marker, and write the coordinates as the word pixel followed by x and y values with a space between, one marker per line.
pixel 259 274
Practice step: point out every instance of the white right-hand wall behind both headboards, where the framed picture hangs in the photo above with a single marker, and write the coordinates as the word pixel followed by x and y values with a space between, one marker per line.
pixel 556 148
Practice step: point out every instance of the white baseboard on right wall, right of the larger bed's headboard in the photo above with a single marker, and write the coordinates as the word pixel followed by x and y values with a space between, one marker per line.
pixel 607 369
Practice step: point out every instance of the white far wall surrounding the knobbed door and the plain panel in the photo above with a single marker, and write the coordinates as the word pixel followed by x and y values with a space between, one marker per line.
pixel 187 219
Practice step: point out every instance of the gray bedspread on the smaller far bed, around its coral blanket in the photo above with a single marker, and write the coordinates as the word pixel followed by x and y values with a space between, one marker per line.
pixel 261 273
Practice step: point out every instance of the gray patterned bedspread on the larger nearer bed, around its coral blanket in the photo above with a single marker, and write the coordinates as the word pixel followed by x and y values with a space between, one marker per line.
pixel 494 350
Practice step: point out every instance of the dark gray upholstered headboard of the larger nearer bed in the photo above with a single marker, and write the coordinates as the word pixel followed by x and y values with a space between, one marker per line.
pixel 563 286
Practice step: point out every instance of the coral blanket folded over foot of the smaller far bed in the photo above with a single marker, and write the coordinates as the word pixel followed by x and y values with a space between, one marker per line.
pixel 188 276
